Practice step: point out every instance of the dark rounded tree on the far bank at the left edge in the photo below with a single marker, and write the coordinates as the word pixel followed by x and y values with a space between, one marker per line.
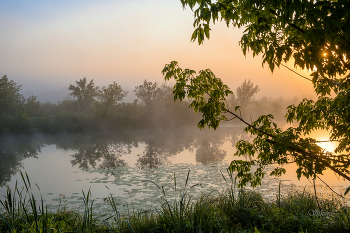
pixel 10 98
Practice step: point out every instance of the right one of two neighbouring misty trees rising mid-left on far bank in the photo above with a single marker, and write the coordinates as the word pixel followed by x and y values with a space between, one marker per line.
pixel 111 95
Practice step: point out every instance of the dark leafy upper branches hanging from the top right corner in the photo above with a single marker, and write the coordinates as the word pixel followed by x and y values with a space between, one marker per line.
pixel 307 31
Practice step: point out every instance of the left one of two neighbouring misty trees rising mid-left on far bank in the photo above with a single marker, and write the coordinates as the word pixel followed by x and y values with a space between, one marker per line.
pixel 85 94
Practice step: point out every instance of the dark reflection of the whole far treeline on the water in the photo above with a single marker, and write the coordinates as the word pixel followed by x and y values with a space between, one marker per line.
pixel 106 150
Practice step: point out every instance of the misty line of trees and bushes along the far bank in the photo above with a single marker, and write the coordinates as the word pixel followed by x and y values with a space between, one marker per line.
pixel 89 108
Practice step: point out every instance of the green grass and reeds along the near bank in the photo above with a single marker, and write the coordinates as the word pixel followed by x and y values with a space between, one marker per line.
pixel 233 210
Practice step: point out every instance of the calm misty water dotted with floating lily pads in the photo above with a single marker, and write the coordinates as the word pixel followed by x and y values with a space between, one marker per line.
pixel 64 166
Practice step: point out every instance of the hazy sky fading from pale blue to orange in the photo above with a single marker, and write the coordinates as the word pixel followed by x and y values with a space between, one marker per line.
pixel 45 45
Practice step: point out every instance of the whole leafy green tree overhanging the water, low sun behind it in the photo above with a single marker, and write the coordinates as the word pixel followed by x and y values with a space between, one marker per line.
pixel 313 33
